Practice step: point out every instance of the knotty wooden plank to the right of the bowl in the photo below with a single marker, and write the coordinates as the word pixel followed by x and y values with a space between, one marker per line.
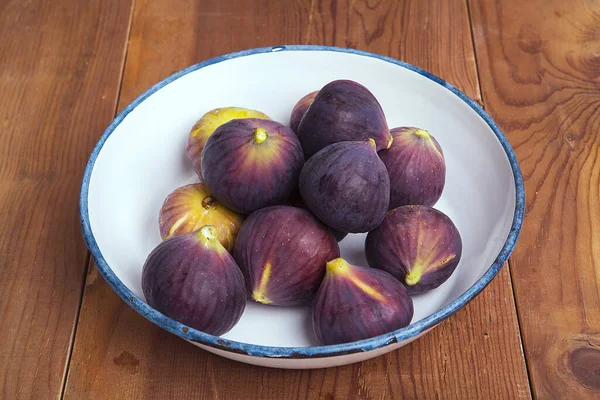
pixel 540 73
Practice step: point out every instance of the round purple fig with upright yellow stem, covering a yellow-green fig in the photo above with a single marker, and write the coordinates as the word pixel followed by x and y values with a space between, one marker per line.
pixel 252 163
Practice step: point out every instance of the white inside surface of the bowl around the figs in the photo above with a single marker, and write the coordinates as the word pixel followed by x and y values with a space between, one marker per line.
pixel 143 160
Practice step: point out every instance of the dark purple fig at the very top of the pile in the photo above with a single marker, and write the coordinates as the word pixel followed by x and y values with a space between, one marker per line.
pixel 343 110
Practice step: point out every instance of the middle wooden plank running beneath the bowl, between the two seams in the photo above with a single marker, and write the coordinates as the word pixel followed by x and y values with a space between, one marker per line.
pixel 476 353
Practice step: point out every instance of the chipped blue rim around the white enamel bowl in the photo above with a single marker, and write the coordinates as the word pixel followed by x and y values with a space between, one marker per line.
pixel 216 342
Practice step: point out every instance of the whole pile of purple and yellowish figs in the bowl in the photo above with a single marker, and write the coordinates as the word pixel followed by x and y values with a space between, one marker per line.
pixel 272 202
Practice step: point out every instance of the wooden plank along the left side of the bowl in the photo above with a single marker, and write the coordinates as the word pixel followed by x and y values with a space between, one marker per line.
pixel 60 68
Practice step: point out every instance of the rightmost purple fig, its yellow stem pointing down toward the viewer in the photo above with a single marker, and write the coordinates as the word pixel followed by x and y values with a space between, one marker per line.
pixel 418 245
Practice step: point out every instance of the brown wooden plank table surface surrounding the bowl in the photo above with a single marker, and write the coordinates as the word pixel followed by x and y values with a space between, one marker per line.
pixel 66 68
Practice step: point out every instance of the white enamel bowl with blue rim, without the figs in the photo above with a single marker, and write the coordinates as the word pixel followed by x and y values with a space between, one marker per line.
pixel 140 159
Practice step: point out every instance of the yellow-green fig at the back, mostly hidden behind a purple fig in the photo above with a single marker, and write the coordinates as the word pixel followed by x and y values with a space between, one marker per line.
pixel 205 127
